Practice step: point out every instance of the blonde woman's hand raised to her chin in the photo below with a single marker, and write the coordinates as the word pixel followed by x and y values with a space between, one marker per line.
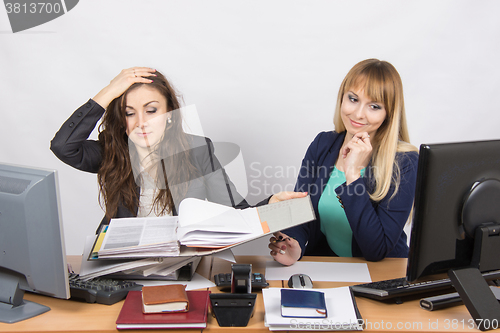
pixel 356 155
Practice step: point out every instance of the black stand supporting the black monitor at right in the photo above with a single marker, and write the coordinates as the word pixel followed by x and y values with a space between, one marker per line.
pixel 470 284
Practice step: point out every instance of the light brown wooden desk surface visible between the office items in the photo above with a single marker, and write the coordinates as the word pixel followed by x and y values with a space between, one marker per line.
pixel 76 316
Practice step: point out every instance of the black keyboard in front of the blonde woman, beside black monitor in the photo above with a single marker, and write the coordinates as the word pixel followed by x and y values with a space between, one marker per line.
pixel 400 288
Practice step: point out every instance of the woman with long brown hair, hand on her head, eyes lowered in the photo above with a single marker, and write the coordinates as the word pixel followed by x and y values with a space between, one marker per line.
pixel 145 162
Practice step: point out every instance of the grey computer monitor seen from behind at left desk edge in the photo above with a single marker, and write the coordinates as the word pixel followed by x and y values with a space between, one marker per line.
pixel 32 252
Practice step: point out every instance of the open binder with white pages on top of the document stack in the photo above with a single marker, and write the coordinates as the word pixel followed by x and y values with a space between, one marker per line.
pixel 203 228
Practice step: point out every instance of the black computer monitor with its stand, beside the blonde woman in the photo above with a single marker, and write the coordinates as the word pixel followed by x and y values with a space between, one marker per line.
pixel 456 220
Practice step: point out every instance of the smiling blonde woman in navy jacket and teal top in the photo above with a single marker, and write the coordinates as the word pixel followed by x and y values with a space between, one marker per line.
pixel 361 177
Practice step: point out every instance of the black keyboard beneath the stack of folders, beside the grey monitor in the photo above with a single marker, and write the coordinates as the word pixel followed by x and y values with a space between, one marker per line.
pixel 100 290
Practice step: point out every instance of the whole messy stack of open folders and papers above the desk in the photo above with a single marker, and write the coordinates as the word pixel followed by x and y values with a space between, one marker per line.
pixel 157 247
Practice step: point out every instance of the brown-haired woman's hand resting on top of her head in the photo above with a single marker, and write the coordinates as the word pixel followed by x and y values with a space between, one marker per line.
pixel 121 83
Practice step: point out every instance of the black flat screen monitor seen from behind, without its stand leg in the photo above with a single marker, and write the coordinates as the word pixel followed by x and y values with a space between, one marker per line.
pixel 446 175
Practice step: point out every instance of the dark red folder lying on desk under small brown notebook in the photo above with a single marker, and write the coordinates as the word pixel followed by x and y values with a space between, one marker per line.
pixel 131 316
